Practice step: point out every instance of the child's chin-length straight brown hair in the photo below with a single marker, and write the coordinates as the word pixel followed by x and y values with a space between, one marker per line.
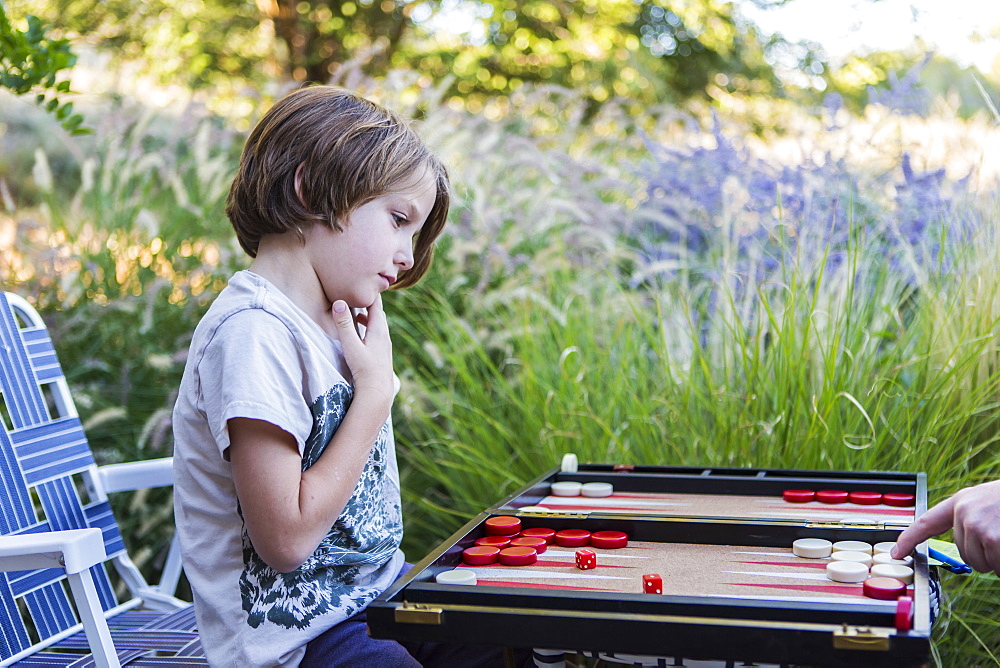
pixel 348 151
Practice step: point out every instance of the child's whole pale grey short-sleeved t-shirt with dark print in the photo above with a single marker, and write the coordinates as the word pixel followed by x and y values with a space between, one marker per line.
pixel 256 355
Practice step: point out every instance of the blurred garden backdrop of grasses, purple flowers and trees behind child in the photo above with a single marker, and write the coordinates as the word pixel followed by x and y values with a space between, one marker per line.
pixel 675 239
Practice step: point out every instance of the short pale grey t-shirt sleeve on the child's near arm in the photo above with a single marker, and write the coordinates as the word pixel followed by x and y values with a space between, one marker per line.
pixel 252 369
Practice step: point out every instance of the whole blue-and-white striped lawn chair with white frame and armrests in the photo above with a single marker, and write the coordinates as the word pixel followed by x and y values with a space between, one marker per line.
pixel 57 534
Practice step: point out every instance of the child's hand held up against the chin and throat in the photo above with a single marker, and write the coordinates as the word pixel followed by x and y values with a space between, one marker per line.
pixel 369 358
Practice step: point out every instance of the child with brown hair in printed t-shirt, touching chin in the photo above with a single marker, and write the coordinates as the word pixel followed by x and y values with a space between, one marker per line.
pixel 286 487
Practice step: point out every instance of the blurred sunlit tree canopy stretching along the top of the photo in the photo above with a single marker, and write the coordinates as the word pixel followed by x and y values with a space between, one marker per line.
pixel 644 52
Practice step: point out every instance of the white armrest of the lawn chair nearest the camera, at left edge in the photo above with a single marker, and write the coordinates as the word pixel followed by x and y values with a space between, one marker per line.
pixel 74 550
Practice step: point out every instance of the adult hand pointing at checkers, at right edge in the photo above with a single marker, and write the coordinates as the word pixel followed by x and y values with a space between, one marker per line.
pixel 974 514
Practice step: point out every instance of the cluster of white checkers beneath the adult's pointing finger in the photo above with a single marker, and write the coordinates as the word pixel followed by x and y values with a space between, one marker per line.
pixel 855 561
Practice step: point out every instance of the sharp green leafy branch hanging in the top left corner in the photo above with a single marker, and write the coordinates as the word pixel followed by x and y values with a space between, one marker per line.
pixel 30 61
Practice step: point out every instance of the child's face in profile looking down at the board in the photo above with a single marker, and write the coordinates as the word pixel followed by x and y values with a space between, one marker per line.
pixel 375 246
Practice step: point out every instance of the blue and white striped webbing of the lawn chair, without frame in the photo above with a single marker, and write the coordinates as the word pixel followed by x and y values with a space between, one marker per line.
pixel 44 455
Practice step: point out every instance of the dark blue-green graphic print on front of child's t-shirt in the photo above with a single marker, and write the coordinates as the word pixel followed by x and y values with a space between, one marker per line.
pixel 365 536
